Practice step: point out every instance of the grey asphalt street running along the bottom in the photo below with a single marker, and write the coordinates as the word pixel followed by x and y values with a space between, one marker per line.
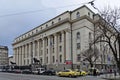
pixel 13 76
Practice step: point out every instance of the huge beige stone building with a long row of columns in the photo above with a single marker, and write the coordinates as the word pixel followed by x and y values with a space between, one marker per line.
pixel 57 41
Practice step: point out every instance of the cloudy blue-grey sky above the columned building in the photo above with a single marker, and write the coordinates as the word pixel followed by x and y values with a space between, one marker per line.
pixel 20 16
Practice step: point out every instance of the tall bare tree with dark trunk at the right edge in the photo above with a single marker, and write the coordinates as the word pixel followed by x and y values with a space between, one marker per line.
pixel 108 26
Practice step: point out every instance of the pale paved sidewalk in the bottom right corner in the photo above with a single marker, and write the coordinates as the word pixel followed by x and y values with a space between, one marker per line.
pixel 110 76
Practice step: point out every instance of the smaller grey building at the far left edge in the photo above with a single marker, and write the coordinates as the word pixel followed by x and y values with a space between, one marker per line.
pixel 3 55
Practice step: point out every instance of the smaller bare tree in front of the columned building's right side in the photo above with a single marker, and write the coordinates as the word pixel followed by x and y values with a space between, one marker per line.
pixel 91 55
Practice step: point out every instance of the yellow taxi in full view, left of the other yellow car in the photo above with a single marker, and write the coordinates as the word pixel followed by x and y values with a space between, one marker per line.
pixel 68 73
